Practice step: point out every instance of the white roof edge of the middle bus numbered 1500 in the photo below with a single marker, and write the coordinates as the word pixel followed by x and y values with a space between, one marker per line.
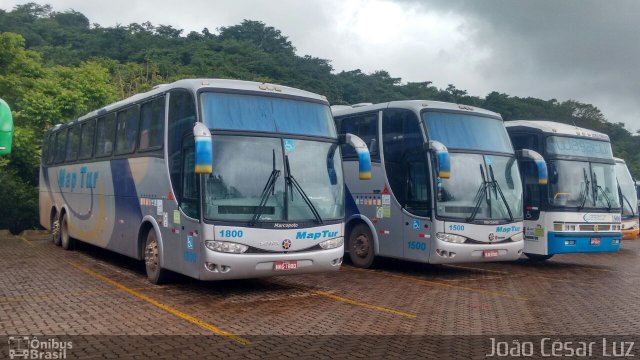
pixel 415 105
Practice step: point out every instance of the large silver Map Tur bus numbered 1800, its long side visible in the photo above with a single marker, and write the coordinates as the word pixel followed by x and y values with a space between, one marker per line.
pixel 213 179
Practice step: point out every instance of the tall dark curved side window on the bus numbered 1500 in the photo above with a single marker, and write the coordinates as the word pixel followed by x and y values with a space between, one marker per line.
pixel 405 160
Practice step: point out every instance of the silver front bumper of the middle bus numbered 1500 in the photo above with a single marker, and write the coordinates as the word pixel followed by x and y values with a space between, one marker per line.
pixel 444 252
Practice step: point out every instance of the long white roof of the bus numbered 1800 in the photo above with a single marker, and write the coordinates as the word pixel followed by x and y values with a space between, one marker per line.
pixel 197 84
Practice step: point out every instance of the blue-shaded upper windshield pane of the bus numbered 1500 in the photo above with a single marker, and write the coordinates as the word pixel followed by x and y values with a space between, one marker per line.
pixel 466 131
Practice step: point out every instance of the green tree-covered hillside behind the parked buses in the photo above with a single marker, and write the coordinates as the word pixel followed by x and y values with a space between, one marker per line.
pixel 56 66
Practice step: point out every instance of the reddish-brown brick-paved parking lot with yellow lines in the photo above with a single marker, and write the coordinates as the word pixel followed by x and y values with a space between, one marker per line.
pixel 103 303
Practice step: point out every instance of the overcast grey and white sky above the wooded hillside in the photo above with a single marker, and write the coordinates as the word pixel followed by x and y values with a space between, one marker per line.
pixel 587 50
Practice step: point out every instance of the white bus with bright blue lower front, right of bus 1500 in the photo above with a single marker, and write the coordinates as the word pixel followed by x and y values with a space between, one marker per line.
pixel 579 209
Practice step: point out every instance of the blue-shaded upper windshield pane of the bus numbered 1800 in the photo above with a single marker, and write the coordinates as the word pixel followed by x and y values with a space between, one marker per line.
pixel 222 111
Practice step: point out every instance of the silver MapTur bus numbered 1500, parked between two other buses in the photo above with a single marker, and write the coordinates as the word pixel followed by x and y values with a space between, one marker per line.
pixel 446 186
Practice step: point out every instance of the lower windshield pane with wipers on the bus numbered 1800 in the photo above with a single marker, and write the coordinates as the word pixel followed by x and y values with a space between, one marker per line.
pixel 251 171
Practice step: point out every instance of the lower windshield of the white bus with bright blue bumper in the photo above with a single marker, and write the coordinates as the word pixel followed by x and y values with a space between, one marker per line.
pixel 582 184
